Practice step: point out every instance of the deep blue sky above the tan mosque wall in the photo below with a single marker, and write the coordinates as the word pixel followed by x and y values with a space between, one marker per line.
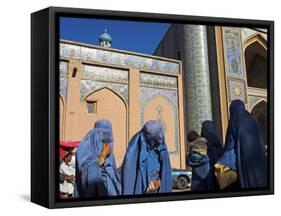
pixel 142 37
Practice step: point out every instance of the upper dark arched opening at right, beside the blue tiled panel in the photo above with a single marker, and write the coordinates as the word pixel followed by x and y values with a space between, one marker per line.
pixel 256 62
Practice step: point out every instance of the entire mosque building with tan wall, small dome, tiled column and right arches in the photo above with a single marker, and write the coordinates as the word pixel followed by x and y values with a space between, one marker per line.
pixel 193 75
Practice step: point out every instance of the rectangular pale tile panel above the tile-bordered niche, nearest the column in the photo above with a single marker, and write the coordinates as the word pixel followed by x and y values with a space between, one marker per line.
pixel 156 80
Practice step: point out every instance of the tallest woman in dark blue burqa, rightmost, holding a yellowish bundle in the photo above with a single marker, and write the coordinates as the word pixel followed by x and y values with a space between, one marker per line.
pixel 245 151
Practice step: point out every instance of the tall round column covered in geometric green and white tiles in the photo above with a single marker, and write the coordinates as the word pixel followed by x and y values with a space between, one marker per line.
pixel 197 78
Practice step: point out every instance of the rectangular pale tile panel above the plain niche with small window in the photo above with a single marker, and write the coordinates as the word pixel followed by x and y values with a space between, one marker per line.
pixel 99 73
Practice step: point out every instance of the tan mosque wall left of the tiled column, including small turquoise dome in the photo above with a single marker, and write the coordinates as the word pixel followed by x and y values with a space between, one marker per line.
pixel 126 88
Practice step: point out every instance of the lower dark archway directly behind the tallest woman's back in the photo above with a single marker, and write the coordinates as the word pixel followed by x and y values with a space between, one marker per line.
pixel 260 113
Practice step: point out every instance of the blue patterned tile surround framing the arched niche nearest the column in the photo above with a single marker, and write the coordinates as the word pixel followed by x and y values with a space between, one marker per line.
pixel 171 96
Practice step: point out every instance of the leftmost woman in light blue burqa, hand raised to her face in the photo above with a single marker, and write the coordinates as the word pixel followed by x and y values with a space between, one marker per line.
pixel 96 173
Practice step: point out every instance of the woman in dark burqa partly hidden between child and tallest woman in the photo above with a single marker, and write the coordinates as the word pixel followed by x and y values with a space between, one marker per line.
pixel 214 150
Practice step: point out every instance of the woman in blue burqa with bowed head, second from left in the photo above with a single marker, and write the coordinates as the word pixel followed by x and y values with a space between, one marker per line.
pixel 146 167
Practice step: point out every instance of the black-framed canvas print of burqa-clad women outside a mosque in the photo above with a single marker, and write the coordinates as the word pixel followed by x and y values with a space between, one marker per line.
pixel 138 107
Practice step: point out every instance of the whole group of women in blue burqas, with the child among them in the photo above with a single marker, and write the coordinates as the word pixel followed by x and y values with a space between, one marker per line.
pixel 239 163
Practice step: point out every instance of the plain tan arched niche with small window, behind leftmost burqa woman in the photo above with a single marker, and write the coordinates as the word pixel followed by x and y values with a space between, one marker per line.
pixel 106 104
